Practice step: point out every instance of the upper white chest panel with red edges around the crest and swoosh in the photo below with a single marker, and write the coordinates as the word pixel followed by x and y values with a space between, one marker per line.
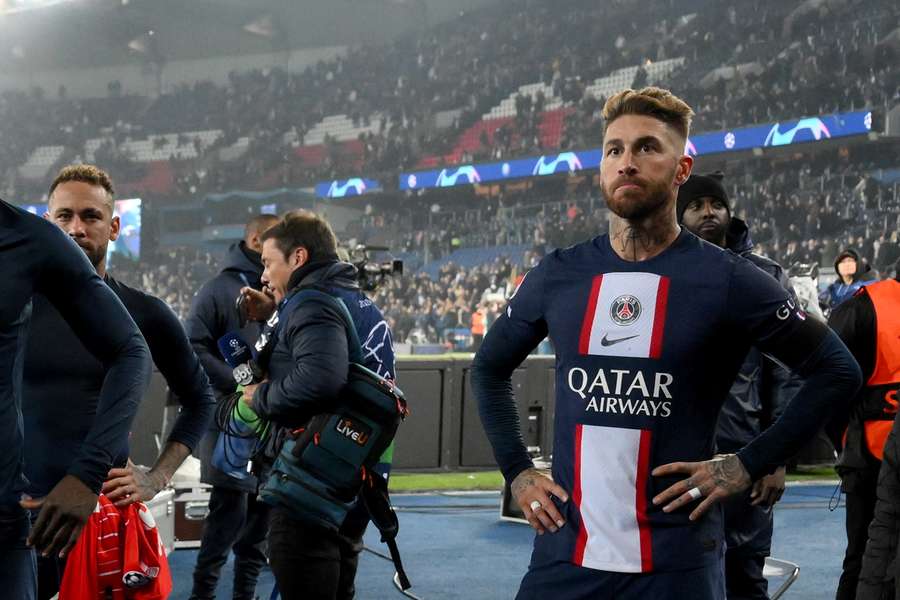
pixel 640 333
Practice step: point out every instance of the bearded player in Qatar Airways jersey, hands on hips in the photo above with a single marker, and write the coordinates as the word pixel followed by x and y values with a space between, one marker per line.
pixel 650 325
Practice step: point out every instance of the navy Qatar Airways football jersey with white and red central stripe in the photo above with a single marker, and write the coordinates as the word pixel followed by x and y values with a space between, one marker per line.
pixel 645 355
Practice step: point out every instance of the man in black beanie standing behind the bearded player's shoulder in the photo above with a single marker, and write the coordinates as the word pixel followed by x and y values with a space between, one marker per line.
pixel 756 398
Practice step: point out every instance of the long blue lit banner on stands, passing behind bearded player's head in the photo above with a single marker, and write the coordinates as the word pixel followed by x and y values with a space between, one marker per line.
pixel 758 136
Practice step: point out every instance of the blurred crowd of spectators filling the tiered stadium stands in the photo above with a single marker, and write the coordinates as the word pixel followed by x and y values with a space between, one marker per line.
pixel 838 60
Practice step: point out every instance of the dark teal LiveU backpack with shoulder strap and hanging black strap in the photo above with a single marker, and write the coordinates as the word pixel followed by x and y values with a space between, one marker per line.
pixel 325 467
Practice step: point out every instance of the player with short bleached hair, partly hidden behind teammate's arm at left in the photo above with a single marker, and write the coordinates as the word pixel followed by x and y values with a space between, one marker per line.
pixel 61 379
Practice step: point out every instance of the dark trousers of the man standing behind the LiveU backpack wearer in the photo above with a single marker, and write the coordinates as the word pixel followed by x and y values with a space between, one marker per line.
pixel 236 520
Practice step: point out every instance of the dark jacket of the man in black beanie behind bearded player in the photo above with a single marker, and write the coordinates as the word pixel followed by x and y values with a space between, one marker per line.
pixel 760 392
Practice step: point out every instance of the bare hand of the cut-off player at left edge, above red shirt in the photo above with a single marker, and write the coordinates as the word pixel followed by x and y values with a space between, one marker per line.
pixel 64 511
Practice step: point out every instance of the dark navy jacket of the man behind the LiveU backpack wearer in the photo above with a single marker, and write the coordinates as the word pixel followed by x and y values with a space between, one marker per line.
pixel 213 314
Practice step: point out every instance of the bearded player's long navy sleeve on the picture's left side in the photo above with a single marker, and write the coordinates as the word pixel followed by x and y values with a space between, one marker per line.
pixel 510 339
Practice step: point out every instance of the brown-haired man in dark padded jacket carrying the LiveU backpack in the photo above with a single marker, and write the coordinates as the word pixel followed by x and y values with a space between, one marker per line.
pixel 307 361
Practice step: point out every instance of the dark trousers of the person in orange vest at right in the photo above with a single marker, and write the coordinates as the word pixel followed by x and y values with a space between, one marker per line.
pixel 860 487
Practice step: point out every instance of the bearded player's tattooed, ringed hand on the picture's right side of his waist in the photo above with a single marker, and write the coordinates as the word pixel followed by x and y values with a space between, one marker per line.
pixel 712 480
